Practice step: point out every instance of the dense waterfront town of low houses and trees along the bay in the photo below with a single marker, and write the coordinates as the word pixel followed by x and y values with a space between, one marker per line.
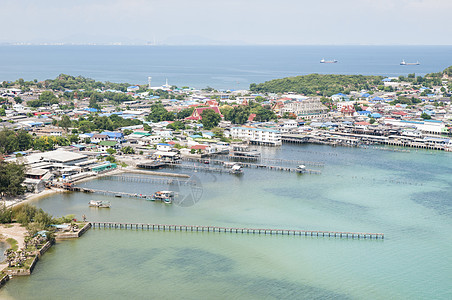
pixel 57 132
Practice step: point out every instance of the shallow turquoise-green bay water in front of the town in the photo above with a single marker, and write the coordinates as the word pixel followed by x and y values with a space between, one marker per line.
pixel 404 195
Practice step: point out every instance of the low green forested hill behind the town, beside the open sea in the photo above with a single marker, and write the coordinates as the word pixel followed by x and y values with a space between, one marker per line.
pixel 317 84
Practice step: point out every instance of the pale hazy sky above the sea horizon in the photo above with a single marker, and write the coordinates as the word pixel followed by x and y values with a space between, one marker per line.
pixel 227 22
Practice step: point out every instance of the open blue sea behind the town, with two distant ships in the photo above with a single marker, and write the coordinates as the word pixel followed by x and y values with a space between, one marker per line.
pixel 221 67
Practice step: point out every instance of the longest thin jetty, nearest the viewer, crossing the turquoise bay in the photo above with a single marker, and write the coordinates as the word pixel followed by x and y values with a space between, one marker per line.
pixel 264 231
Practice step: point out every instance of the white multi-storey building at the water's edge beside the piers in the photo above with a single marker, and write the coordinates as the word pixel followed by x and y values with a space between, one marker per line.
pixel 257 135
